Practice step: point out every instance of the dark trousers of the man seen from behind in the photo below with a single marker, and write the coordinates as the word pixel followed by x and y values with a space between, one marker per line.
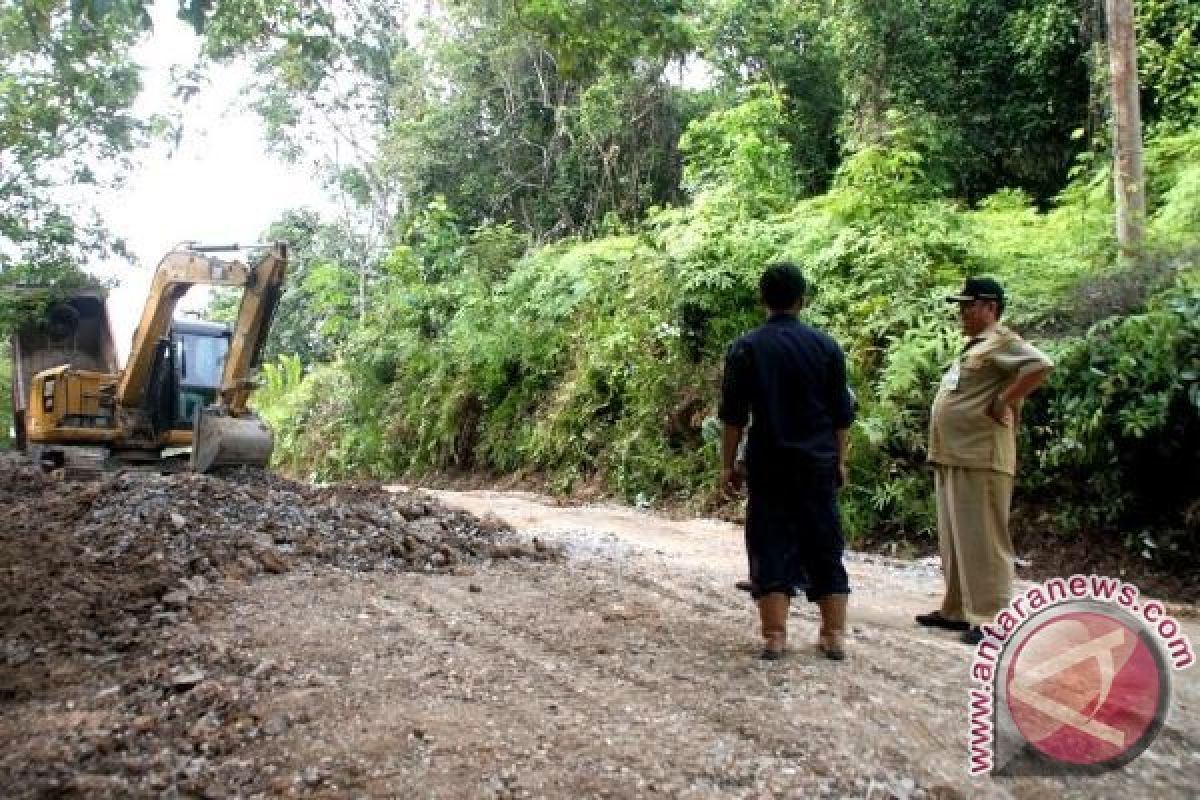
pixel 794 536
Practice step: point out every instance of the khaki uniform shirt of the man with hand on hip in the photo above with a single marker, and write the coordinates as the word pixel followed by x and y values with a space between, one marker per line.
pixel 961 432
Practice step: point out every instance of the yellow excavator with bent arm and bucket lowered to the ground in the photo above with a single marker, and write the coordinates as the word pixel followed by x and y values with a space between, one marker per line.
pixel 184 389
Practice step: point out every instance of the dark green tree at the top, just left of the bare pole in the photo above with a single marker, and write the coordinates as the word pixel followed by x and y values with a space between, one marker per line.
pixel 1004 83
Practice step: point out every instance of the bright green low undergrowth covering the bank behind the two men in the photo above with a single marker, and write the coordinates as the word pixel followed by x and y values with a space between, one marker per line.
pixel 599 362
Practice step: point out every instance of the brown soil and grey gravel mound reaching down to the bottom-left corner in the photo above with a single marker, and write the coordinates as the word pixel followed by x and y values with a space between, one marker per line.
pixel 101 585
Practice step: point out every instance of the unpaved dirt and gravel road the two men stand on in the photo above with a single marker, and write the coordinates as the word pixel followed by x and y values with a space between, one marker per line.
pixel 626 671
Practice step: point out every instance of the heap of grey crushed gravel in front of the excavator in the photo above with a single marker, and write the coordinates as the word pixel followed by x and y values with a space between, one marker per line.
pixel 247 522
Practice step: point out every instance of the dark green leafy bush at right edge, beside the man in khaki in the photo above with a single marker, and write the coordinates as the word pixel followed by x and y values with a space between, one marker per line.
pixel 1118 430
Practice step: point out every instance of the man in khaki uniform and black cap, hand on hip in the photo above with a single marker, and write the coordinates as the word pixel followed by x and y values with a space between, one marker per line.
pixel 973 446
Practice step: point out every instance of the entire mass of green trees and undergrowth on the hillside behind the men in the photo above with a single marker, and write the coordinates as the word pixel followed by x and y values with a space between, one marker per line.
pixel 547 308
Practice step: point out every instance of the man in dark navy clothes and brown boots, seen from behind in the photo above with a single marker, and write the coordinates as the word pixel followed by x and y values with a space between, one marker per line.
pixel 791 378
